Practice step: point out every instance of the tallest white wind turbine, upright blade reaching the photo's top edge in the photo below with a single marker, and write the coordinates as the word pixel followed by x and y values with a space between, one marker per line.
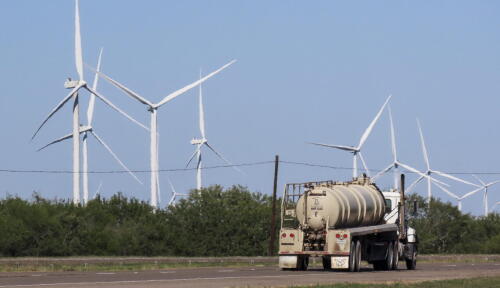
pixel 75 86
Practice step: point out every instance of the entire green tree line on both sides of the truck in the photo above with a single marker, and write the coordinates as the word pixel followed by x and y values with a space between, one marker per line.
pixel 215 222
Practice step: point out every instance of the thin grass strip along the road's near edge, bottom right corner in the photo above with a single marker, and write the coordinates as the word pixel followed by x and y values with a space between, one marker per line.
pixel 486 282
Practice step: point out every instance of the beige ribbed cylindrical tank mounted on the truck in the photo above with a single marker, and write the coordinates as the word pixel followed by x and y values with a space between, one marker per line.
pixel 341 205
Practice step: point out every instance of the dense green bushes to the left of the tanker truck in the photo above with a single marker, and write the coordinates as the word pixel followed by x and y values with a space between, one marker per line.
pixel 215 222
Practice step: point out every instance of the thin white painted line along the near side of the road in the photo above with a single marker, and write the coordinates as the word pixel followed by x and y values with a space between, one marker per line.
pixel 159 280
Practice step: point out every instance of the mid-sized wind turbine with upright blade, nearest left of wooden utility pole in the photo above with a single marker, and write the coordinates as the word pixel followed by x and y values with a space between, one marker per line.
pixel 203 142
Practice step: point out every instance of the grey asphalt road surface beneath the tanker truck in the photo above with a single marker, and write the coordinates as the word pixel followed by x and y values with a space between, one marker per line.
pixel 243 276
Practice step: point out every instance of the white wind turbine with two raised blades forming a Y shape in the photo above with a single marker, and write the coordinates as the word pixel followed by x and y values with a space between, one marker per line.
pixel 153 110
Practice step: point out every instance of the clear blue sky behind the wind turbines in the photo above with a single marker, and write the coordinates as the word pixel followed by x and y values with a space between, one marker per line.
pixel 306 72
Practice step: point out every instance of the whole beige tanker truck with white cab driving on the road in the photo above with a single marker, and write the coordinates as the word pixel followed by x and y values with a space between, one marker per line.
pixel 345 223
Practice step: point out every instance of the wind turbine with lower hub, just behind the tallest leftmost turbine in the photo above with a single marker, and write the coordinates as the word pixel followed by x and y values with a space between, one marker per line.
pixel 89 129
